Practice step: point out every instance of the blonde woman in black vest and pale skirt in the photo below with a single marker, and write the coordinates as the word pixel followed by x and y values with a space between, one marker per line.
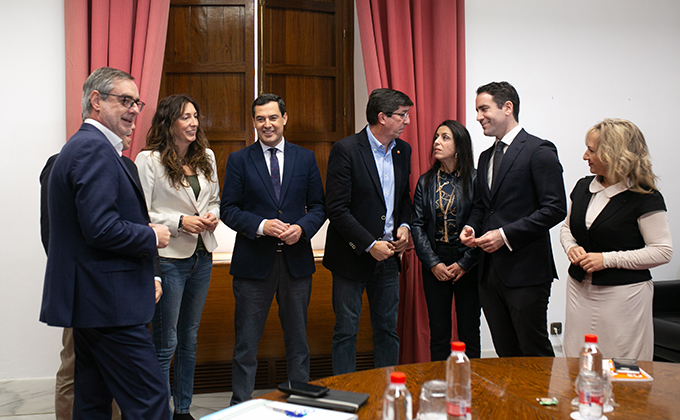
pixel 615 232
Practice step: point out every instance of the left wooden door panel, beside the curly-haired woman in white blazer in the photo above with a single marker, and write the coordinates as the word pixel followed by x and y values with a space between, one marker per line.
pixel 210 56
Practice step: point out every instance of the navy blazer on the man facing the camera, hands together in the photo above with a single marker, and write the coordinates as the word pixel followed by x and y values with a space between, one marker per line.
pixel 248 197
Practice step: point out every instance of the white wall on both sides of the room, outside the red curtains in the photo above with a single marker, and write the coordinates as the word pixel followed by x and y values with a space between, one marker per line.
pixel 573 64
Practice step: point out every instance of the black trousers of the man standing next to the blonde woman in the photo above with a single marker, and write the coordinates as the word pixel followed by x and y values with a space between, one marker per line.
pixel 517 316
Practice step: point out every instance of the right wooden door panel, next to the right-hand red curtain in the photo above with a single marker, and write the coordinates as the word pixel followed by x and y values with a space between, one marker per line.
pixel 306 54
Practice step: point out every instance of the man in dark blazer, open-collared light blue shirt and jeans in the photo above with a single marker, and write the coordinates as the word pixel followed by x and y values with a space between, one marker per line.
pixel 369 208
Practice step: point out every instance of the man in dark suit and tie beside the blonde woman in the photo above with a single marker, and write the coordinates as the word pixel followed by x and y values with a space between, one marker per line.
pixel 519 197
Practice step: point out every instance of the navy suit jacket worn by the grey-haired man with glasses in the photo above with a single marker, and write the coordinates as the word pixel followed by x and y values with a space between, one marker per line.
pixel 99 268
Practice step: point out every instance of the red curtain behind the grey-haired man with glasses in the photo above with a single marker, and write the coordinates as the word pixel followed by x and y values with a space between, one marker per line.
pixel 125 34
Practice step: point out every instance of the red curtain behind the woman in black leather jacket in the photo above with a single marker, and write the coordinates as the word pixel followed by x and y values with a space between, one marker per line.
pixel 417 47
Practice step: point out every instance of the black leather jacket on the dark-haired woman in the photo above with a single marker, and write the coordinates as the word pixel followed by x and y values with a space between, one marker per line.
pixel 425 221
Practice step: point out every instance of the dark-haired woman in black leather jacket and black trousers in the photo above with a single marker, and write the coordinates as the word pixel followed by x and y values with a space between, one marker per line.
pixel 442 203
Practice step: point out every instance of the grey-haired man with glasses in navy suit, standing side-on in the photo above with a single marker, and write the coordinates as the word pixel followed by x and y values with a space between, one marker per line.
pixel 99 278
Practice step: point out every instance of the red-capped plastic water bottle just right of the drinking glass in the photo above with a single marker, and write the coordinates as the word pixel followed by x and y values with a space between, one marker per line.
pixel 458 395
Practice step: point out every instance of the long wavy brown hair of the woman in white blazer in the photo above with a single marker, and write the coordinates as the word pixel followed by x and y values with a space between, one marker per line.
pixel 159 139
